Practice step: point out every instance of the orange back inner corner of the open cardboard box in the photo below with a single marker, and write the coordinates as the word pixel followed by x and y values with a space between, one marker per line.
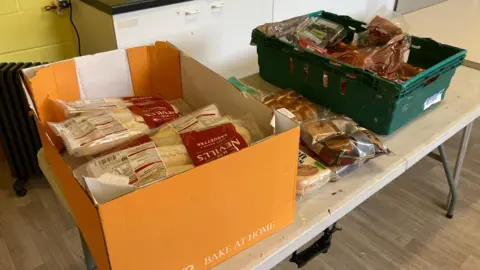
pixel 155 71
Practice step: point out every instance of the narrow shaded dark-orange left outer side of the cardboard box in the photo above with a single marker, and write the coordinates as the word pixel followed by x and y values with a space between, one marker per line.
pixel 83 209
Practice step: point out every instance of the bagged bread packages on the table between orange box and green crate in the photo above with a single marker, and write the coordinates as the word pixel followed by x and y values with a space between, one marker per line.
pixel 331 145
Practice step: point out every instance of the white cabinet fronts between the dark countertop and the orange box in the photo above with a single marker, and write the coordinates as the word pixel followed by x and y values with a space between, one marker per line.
pixel 215 32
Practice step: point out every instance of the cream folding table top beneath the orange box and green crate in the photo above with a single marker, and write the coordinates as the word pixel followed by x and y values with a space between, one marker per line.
pixel 319 210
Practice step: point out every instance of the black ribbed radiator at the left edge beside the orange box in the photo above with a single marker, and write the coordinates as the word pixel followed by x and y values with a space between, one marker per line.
pixel 18 133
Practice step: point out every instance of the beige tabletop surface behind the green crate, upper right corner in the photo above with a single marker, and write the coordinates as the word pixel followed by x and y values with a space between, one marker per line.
pixel 454 22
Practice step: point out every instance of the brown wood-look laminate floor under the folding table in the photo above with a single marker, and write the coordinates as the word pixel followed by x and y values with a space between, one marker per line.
pixel 401 227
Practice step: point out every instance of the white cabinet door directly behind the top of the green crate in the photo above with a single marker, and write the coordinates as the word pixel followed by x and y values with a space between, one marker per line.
pixel 285 9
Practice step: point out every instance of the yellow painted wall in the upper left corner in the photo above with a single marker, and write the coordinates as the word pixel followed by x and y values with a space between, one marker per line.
pixel 28 33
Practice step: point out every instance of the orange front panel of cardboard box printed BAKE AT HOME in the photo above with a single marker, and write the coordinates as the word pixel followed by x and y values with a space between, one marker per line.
pixel 207 214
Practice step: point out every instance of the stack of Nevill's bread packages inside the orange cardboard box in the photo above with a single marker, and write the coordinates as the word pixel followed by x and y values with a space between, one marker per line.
pixel 135 141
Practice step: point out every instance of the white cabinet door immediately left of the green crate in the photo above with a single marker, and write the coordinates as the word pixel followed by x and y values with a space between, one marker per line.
pixel 229 34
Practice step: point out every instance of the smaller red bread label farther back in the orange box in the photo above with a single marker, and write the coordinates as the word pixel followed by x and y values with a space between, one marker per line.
pixel 155 113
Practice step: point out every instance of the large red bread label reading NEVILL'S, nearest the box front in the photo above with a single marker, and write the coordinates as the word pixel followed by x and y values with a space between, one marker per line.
pixel 213 143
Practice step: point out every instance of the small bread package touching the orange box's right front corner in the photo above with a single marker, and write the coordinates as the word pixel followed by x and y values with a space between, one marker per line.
pixel 311 174
